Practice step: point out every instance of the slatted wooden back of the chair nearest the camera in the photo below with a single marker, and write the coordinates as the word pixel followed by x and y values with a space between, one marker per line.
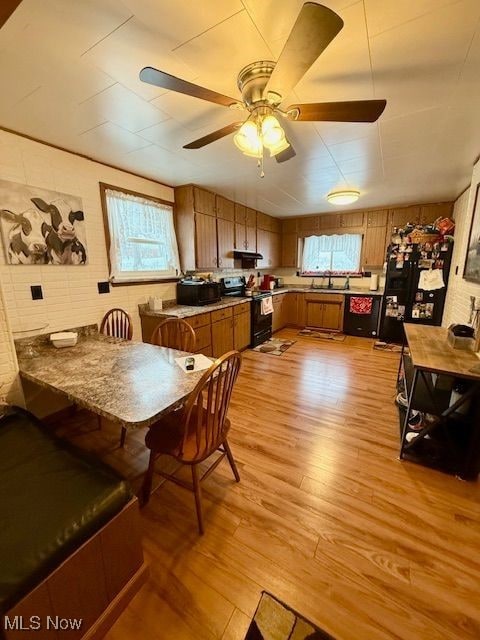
pixel 207 406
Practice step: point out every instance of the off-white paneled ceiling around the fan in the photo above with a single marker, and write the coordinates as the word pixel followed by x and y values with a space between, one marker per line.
pixel 69 76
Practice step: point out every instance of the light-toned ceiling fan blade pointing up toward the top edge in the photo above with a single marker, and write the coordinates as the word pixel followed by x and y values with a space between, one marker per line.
pixel 316 26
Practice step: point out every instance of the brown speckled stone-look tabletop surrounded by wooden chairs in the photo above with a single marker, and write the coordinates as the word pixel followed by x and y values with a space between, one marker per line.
pixel 131 383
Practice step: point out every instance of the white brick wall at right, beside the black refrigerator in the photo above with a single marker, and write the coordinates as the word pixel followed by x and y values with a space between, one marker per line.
pixel 457 307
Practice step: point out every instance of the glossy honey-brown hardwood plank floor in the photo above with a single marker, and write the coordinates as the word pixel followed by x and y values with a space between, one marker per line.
pixel 325 517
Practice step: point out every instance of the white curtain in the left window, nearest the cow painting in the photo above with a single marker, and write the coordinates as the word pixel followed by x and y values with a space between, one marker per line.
pixel 143 244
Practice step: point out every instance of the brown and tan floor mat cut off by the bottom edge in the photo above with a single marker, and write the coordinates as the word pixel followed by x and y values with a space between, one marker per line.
pixel 273 620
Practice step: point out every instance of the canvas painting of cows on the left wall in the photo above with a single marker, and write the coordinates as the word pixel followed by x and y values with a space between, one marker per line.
pixel 40 226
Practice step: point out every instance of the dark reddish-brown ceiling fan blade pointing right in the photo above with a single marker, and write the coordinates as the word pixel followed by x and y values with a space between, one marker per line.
pixel 351 111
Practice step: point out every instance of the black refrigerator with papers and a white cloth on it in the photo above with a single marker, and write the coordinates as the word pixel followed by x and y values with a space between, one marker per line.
pixel 415 286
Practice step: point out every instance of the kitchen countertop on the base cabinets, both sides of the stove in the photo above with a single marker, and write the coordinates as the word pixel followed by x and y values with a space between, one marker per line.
pixel 186 311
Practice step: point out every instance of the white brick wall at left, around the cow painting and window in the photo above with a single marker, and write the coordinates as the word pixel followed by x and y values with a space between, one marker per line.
pixel 70 293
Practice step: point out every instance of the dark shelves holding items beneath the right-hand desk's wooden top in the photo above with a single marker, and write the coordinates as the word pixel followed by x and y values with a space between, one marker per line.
pixel 437 431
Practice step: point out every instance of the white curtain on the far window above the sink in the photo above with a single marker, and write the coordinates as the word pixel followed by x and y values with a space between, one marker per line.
pixel 336 253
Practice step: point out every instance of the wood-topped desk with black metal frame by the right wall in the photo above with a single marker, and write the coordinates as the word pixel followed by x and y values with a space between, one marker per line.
pixel 430 353
